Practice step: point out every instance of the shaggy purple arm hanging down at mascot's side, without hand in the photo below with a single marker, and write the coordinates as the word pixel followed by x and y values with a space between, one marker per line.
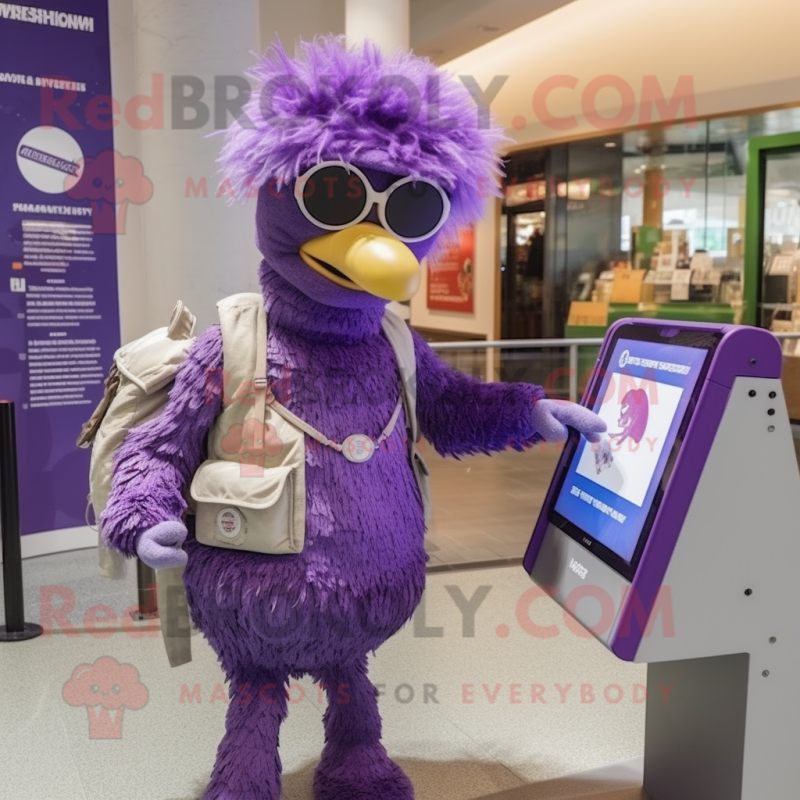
pixel 157 459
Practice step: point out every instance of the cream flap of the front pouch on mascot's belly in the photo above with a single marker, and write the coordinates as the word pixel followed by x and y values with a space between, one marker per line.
pixel 237 484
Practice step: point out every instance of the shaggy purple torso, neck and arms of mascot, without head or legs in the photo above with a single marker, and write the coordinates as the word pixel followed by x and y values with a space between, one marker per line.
pixel 362 571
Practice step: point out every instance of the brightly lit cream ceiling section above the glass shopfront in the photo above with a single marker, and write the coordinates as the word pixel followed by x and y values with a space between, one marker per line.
pixel 618 55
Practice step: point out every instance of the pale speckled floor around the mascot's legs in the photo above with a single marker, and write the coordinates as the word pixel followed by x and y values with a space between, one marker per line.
pixel 488 741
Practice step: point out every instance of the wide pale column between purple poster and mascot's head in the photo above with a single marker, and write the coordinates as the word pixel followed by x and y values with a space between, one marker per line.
pixel 196 249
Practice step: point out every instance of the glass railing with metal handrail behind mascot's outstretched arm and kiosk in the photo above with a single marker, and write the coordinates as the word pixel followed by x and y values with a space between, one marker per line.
pixel 484 508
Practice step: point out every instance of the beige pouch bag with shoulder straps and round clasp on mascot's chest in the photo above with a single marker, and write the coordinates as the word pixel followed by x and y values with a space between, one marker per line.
pixel 250 494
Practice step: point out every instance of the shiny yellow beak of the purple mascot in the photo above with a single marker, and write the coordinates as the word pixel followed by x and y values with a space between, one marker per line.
pixel 365 257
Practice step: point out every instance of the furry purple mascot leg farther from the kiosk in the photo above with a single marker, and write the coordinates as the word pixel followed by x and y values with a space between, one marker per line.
pixel 248 766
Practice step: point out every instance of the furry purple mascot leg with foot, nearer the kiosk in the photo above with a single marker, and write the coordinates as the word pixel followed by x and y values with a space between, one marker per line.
pixel 354 763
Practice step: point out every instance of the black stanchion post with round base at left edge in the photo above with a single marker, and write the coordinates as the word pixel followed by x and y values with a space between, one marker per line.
pixel 15 629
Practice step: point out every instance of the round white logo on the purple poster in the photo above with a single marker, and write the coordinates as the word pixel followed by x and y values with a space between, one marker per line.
pixel 50 159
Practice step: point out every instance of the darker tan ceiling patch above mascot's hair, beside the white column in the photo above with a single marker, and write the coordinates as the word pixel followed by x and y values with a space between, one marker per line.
pixel 445 29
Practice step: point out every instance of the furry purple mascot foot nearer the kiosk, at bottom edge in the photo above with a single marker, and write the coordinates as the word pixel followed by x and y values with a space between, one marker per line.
pixel 360 773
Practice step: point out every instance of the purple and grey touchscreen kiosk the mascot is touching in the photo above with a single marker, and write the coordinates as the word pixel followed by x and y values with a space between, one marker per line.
pixel 674 541
